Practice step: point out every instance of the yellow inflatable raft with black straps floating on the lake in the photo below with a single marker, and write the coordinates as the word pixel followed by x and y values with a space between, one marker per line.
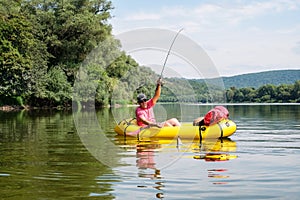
pixel 222 129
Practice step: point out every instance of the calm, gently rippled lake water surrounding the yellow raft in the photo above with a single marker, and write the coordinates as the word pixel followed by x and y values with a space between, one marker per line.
pixel 58 155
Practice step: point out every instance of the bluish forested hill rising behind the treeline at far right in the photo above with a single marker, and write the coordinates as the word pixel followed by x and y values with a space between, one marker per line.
pixel 262 78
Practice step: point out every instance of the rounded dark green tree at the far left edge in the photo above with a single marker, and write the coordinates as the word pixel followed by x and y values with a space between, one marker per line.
pixel 20 52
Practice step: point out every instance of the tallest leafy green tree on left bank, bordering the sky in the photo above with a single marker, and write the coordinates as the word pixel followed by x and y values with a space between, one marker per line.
pixel 71 29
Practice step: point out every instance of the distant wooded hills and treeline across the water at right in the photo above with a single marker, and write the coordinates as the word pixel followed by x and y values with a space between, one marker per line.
pixel 200 90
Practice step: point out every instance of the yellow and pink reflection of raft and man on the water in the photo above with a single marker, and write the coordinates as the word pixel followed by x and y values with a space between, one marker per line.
pixel 148 153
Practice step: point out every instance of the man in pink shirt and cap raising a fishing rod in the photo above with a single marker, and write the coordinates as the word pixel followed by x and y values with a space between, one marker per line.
pixel 144 113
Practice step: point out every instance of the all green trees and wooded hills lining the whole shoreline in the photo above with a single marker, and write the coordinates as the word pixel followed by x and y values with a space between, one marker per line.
pixel 53 51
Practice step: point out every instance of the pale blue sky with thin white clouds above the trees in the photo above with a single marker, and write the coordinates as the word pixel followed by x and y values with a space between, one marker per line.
pixel 239 36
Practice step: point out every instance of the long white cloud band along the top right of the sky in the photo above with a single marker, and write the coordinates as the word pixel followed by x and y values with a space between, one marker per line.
pixel 230 14
